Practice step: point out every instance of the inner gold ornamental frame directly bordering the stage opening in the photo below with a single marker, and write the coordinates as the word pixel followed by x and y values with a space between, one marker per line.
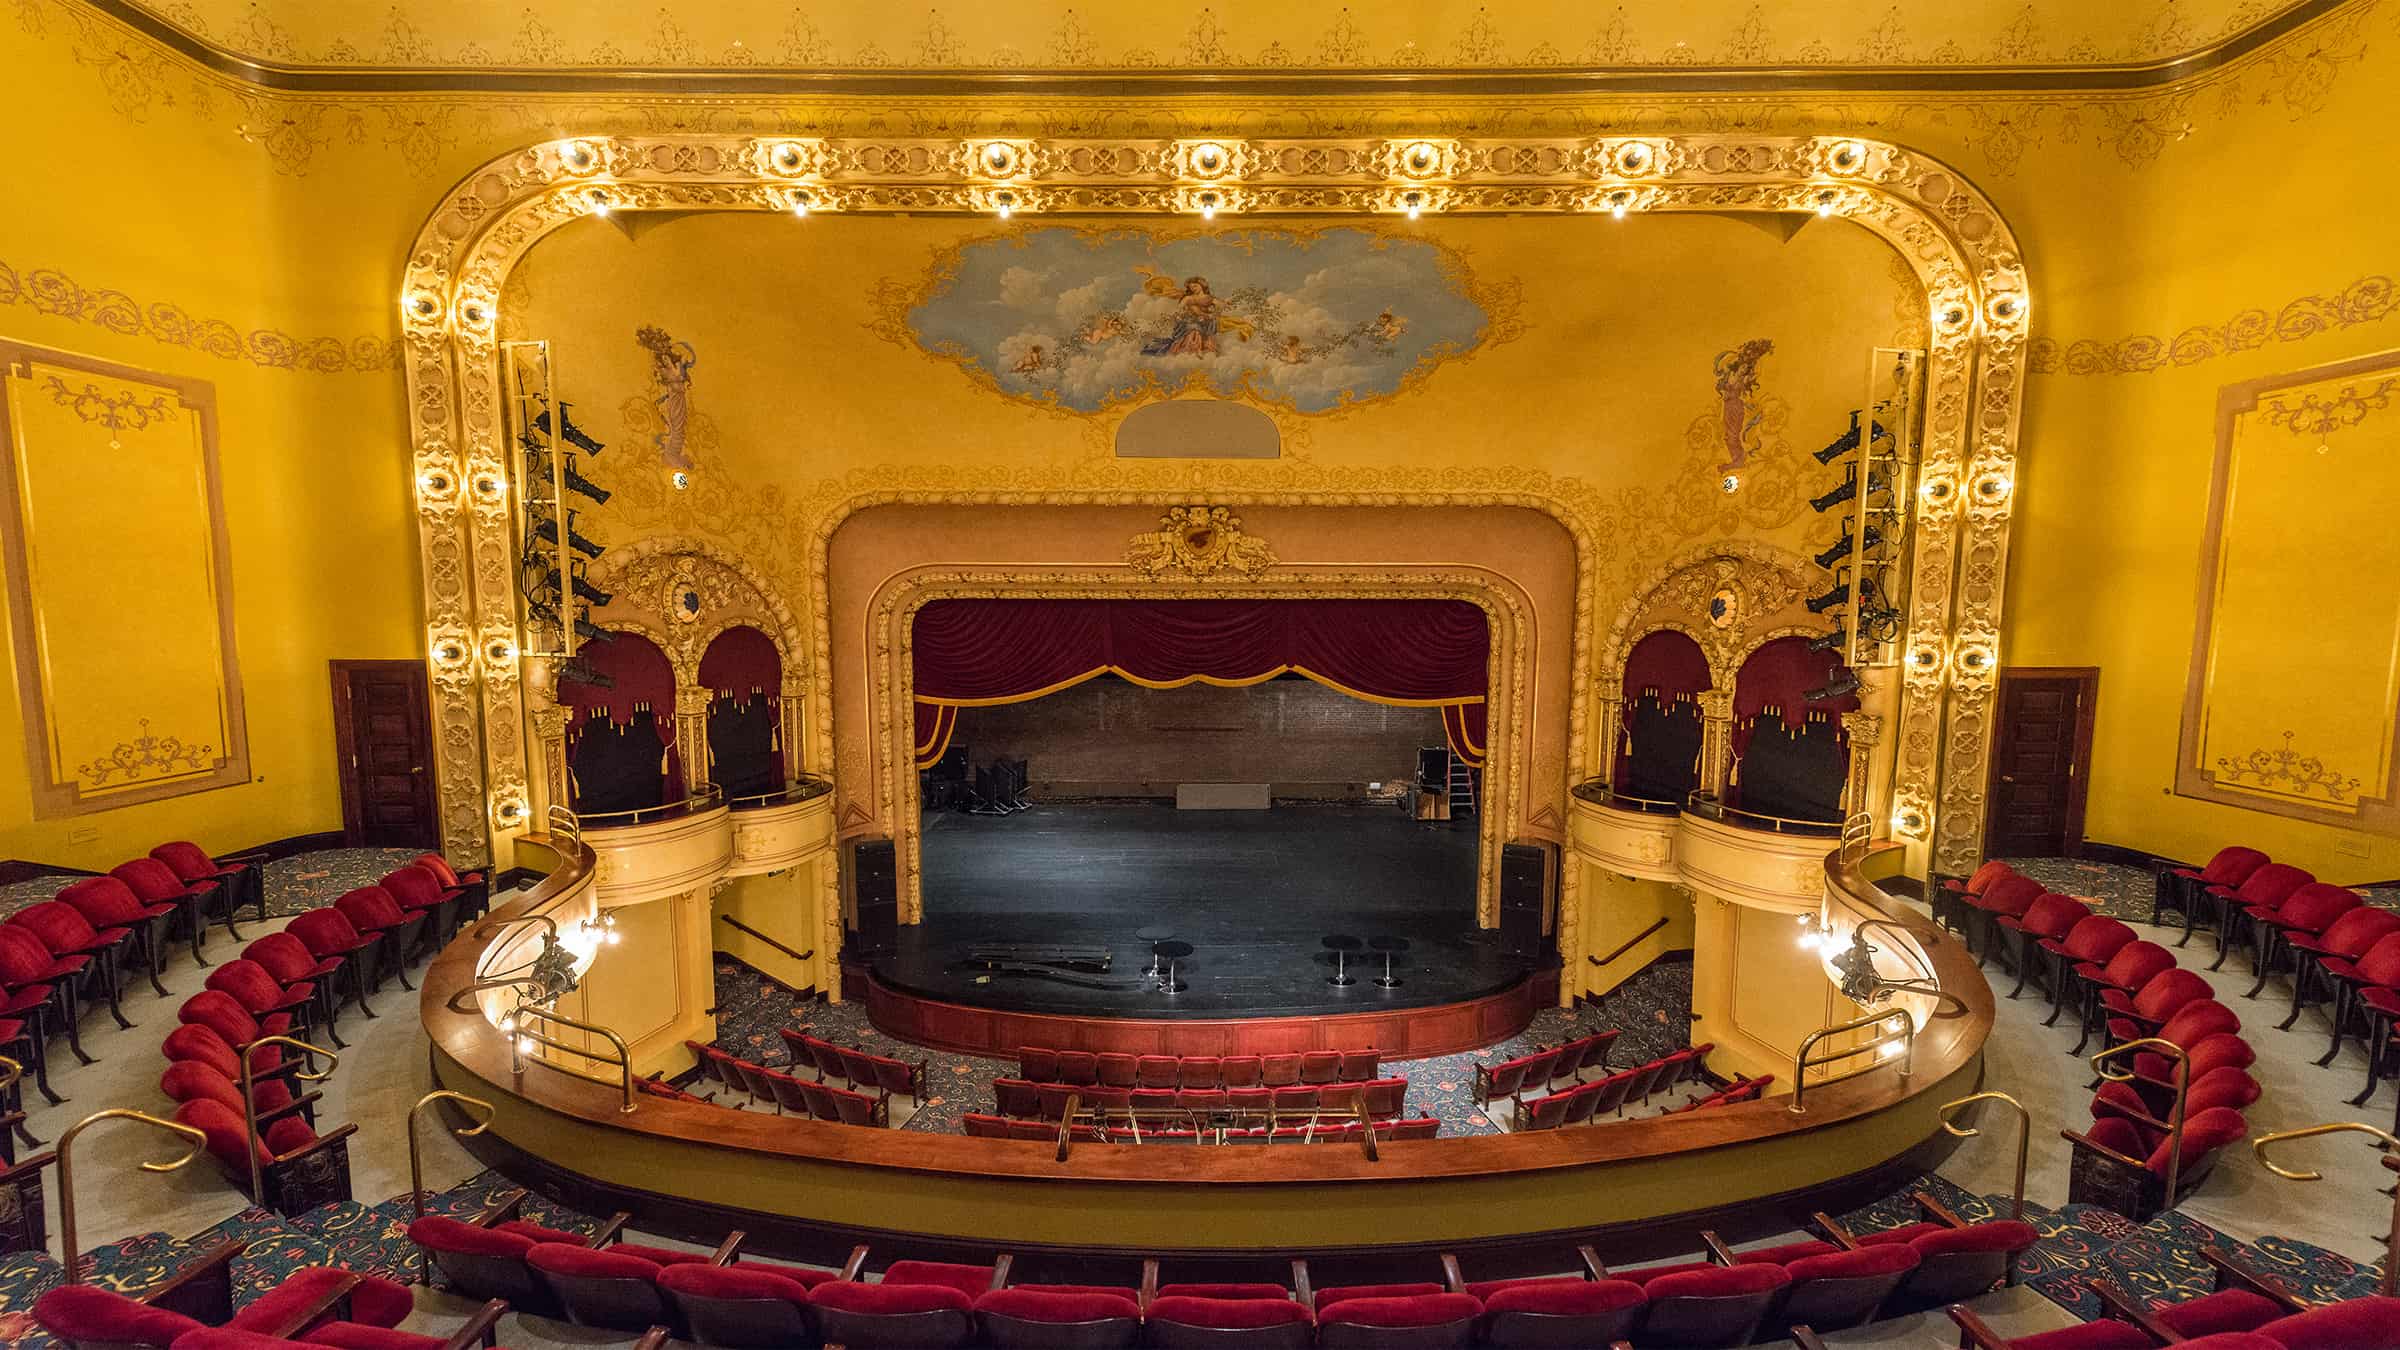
pixel 1508 679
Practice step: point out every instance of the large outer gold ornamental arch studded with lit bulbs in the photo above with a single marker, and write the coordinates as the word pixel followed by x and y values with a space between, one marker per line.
pixel 1940 225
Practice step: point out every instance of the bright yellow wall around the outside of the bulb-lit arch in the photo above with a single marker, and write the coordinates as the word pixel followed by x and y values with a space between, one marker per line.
pixel 2140 215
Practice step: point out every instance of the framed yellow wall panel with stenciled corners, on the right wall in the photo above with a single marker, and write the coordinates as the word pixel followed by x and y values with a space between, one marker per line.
pixel 2296 667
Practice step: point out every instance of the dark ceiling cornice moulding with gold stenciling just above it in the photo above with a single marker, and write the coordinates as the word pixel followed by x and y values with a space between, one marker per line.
pixel 1206 66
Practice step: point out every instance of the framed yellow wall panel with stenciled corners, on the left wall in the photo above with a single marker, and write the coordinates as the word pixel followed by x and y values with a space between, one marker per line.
pixel 119 585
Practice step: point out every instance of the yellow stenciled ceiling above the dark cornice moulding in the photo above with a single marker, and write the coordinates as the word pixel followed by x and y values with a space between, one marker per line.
pixel 1235 35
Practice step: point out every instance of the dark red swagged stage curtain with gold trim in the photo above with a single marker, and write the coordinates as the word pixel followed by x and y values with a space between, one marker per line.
pixel 1422 655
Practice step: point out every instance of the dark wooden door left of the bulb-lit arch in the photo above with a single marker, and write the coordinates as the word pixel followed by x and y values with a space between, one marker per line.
pixel 383 736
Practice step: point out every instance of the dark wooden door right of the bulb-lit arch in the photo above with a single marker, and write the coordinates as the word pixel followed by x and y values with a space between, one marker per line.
pixel 2041 763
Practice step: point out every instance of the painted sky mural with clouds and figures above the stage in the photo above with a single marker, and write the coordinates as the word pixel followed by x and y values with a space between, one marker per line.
pixel 1100 318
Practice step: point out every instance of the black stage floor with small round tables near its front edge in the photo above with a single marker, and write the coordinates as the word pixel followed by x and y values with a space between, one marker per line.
pixel 1254 892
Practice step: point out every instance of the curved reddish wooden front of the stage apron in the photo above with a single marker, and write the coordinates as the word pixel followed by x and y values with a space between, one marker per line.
pixel 1398 1034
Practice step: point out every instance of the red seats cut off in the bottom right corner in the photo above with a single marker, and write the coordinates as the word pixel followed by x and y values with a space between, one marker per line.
pixel 2243 1310
